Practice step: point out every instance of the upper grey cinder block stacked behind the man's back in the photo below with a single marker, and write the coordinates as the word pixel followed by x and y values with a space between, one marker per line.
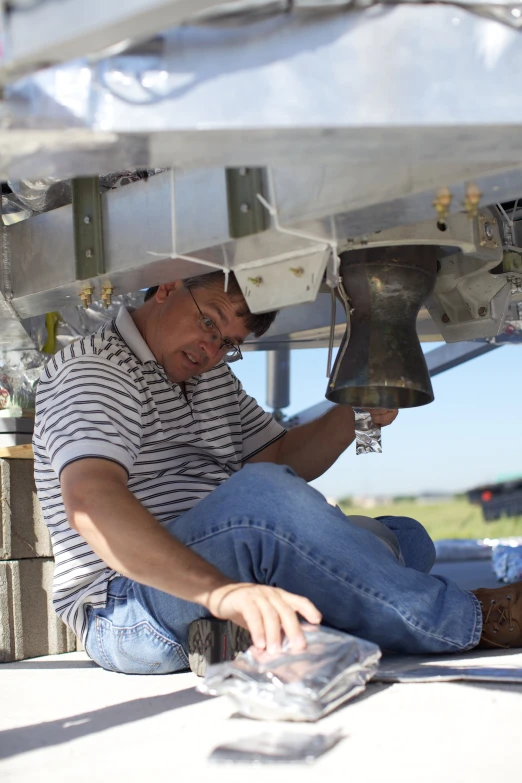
pixel 22 528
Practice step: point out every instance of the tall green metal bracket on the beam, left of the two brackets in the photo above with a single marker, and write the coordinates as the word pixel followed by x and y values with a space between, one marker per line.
pixel 88 227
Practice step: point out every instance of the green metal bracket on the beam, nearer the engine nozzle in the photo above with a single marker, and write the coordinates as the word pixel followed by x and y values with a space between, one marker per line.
pixel 246 214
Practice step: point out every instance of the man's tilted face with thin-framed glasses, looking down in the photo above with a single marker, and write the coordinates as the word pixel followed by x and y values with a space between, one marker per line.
pixel 180 338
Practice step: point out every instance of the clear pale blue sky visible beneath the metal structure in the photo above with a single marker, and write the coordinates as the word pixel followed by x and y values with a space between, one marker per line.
pixel 471 434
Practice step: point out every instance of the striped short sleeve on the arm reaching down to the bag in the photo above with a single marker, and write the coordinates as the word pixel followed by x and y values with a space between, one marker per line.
pixel 88 407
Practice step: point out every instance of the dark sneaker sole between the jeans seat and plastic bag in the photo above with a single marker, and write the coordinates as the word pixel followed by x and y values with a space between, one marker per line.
pixel 214 641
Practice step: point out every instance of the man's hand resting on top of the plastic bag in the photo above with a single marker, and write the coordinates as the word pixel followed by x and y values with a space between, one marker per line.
pixel 265 612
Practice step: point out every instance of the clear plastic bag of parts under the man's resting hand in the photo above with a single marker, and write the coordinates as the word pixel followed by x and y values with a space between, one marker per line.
pixel 296 685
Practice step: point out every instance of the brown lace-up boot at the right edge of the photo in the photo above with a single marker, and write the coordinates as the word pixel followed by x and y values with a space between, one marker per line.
pixel 501 615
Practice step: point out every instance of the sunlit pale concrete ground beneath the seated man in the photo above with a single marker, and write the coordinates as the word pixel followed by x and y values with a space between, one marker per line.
pixel 64 719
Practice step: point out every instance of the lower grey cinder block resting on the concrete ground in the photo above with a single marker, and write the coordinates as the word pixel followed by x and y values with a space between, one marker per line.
pixel 29 626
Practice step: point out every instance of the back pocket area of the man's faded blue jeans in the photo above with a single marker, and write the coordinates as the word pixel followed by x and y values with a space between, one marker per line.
pixel 136 649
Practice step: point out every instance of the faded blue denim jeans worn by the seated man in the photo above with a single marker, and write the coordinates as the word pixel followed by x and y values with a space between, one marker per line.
pixel 266 525
